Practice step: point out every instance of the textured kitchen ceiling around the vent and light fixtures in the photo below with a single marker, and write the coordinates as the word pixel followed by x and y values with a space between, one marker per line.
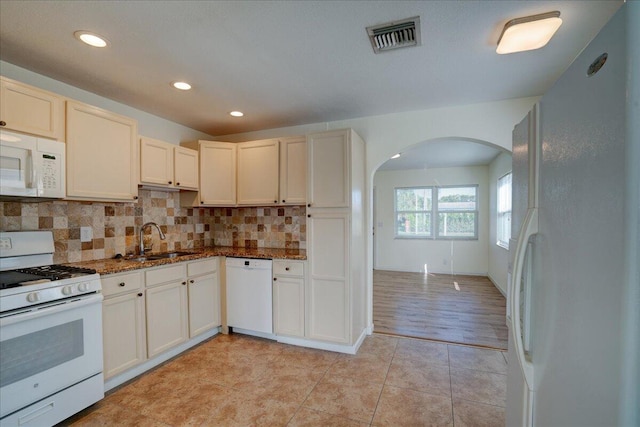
pixel 286 63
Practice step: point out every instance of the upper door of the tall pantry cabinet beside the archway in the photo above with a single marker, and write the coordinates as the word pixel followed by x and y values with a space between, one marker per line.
pixel 329 160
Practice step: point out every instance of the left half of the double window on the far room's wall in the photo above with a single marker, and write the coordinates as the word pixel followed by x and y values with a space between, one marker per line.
pixel 414 212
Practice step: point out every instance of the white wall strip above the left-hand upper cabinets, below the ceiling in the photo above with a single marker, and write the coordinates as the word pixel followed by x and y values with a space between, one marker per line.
pixel 148 124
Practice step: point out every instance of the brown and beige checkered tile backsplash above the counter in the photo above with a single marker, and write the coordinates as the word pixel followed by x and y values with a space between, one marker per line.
pixel 116 226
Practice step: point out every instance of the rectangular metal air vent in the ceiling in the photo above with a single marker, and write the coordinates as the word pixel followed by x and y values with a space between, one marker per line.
pixel 394 35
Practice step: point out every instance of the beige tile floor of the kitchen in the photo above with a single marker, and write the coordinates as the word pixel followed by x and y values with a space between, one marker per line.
pixel 236 380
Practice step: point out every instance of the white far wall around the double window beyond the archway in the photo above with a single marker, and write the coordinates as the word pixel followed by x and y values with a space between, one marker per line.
pixel 441 256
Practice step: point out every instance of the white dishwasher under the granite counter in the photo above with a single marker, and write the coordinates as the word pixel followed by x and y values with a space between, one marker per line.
pixel 249 296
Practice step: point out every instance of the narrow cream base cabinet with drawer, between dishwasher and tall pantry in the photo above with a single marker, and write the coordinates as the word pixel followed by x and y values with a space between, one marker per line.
pixel 288 298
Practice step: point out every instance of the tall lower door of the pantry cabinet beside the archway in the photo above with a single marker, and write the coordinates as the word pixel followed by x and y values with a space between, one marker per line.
pixel 328 290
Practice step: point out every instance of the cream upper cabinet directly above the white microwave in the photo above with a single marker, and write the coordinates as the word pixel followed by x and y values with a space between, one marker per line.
pixel 30 110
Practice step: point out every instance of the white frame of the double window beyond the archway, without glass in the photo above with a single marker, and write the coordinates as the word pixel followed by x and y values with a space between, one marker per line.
pixel 434 212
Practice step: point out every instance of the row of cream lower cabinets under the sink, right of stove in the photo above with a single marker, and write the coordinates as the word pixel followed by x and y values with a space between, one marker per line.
pixel 151 310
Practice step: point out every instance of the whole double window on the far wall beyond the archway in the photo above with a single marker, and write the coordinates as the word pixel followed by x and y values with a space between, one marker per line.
pixel 451 214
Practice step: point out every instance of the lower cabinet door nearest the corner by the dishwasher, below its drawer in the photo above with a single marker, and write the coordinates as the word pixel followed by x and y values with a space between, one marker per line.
pixel 204 304
